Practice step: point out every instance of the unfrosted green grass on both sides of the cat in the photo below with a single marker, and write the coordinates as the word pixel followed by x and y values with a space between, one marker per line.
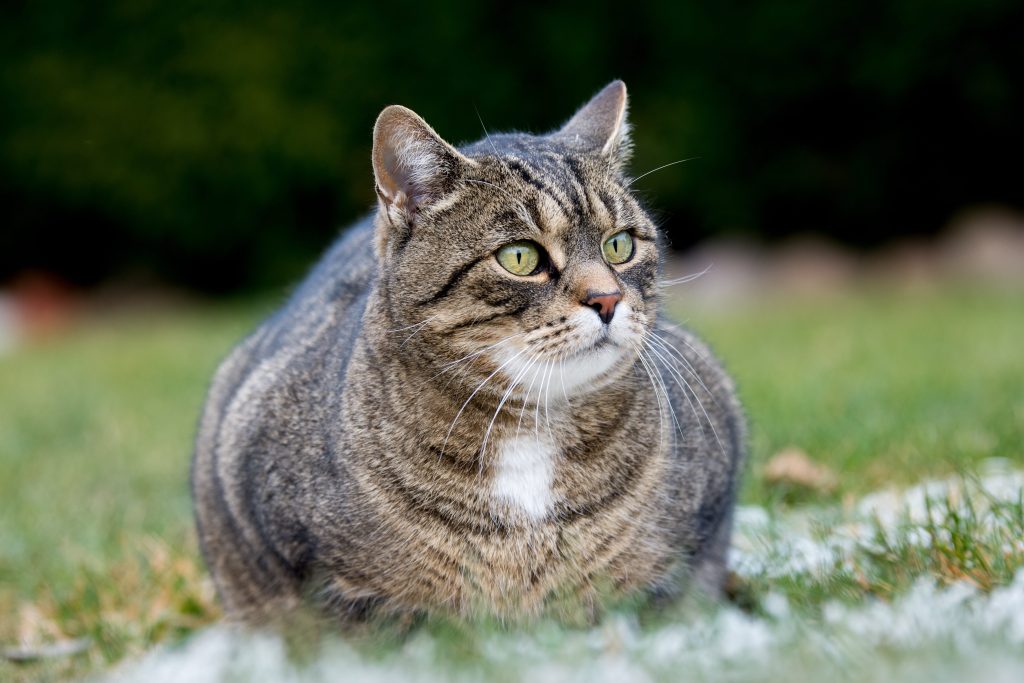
pixel 885 390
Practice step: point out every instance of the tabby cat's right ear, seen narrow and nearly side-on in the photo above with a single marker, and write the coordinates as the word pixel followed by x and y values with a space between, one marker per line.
pixel 602 126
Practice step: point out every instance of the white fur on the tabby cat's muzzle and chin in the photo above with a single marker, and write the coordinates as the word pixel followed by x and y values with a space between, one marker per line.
pixel 578 369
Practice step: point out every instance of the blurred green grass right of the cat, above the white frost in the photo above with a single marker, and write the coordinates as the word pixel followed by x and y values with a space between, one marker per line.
pixel 884 389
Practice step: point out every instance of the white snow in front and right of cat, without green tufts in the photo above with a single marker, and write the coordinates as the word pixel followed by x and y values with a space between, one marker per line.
pixel 929 633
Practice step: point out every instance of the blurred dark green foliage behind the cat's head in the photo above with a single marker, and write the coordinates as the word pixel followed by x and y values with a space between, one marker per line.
pixel 222 145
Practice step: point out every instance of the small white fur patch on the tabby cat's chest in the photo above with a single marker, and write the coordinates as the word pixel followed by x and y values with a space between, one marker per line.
pixel 524 476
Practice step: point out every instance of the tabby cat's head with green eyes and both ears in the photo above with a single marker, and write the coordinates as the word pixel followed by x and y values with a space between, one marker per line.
pixel 525 255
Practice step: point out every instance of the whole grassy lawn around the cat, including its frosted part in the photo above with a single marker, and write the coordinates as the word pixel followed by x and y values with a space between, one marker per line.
pixel 885 390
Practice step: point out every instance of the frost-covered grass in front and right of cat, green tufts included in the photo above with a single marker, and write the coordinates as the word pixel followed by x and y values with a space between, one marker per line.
pixel 921 585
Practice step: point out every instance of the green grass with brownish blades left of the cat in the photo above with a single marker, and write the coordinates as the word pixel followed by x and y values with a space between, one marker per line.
pixel 96 436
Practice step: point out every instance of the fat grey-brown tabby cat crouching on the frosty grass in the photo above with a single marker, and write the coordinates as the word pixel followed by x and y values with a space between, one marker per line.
pixel 472 406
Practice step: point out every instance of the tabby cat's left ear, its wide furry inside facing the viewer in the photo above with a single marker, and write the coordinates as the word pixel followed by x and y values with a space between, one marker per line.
pixel 413 166
